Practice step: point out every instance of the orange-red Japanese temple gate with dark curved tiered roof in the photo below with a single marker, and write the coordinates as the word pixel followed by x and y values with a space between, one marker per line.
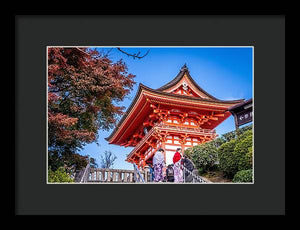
pixel 178 114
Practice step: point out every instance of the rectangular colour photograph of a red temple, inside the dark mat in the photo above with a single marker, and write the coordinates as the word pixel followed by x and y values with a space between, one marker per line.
pixel 150 115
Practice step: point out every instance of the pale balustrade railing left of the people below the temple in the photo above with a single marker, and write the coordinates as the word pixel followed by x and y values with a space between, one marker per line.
pixel 115 175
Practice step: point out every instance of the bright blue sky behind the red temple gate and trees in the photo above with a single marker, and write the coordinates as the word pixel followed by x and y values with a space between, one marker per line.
pixel 224 72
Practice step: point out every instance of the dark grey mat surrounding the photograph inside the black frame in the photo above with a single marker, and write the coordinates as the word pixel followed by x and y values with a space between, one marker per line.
pixel 263 30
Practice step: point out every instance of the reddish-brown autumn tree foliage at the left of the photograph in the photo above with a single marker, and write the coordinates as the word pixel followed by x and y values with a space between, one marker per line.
pixel 83 86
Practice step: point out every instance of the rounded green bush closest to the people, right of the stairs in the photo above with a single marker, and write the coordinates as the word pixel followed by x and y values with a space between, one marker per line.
pixel 204 156
